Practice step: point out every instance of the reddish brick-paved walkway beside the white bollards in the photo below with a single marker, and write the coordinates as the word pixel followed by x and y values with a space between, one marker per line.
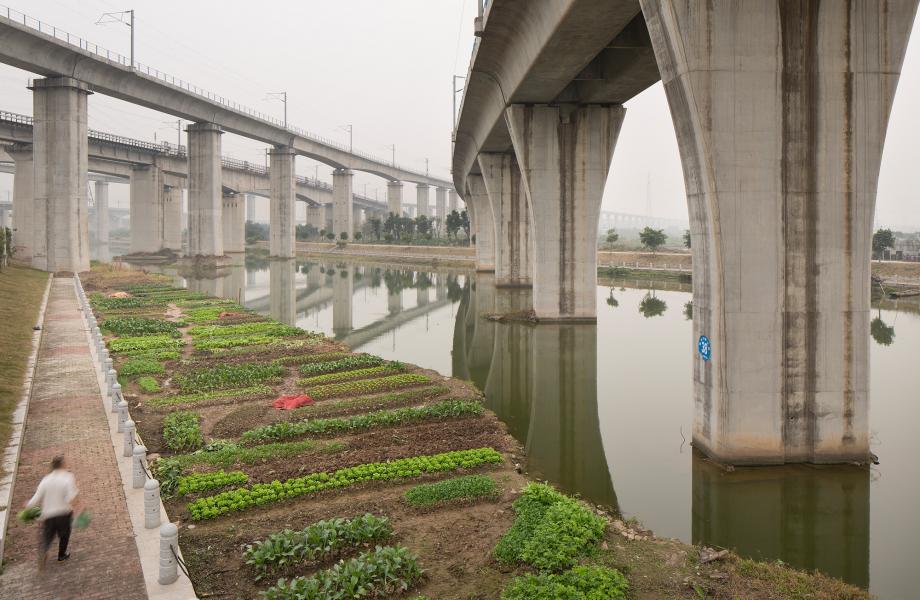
pixel 66 416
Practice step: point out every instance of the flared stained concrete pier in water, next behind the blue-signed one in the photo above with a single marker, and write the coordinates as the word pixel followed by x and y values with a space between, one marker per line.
pixel 564 153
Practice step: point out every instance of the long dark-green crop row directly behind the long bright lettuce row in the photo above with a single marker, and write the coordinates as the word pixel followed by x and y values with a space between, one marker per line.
pixel 445 409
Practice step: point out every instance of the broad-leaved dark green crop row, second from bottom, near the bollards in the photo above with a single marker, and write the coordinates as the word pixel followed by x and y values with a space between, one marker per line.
pixel 318 541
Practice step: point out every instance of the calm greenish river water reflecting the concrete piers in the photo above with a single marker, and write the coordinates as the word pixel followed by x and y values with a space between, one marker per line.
pixel 605 410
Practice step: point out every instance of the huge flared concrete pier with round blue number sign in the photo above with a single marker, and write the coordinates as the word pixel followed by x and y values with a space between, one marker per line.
pixel 781 155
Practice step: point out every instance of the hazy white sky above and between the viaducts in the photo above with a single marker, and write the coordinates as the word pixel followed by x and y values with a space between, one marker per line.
pixel 385 67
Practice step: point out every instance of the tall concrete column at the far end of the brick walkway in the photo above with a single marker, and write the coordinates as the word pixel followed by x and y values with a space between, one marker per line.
pixel 60 154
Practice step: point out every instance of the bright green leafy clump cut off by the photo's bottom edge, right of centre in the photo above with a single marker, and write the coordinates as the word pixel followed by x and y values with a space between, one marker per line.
pixel 580 583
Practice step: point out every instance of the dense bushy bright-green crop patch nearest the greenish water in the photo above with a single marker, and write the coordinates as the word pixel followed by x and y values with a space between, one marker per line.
pixel 550 530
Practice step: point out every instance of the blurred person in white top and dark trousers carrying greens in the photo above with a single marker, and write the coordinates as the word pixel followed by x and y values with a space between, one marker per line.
pixel 56 494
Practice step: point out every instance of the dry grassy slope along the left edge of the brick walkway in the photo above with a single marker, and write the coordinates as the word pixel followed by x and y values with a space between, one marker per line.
pixel 21 291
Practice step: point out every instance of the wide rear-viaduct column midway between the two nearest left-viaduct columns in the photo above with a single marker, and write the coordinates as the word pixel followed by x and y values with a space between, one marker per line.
pixel 146 209
